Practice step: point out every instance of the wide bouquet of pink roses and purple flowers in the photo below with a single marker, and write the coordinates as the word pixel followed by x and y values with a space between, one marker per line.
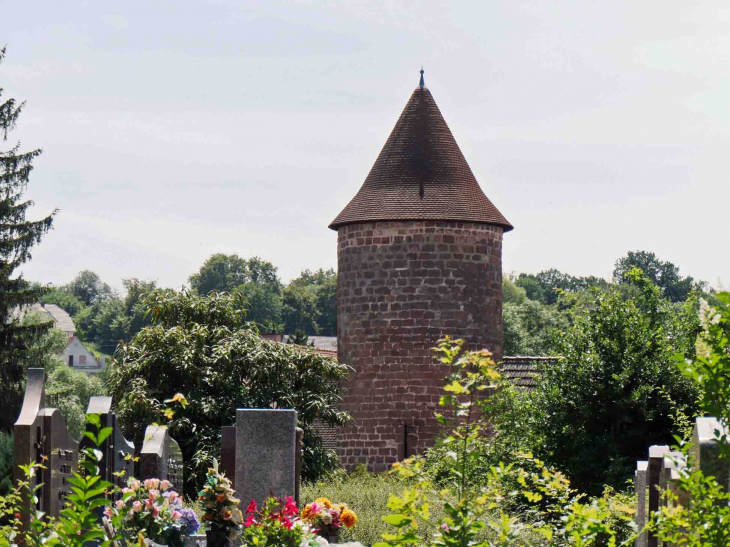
pixel 152 509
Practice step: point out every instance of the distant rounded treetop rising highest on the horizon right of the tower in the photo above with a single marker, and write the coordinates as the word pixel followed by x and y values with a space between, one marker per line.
pixel 664 275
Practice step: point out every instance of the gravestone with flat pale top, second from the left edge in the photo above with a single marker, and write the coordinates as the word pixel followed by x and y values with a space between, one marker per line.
pixel 118 451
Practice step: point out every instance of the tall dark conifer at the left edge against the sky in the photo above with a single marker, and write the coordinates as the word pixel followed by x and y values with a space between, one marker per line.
pixel 17 237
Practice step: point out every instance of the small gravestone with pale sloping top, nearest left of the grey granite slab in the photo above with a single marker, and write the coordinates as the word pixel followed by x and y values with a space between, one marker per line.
pixel 161 457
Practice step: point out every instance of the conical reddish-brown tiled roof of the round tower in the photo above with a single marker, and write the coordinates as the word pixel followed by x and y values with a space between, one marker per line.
pixel 420 174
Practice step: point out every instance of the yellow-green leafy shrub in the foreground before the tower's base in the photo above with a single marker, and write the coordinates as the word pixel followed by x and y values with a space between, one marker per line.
pixel 474 512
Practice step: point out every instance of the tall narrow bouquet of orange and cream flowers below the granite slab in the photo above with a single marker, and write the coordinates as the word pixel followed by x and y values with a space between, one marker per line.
pixel 222 515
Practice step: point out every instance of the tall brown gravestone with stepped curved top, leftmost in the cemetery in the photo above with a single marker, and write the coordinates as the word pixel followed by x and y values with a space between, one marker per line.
pixel 41 436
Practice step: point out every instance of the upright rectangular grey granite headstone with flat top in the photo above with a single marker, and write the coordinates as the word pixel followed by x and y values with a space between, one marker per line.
pixel 265 454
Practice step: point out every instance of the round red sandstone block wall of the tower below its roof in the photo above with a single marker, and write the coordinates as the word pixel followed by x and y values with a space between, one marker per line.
pixel 402 286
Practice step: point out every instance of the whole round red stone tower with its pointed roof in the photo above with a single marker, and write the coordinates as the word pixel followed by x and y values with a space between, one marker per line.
pixel 419 253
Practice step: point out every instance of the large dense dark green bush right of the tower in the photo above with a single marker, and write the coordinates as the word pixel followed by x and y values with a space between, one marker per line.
pixel 615 391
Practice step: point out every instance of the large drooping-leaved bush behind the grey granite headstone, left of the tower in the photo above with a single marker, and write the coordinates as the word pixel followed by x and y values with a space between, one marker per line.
pixel 203 347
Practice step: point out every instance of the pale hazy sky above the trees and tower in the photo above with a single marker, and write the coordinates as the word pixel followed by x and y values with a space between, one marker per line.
pixel 174 130
